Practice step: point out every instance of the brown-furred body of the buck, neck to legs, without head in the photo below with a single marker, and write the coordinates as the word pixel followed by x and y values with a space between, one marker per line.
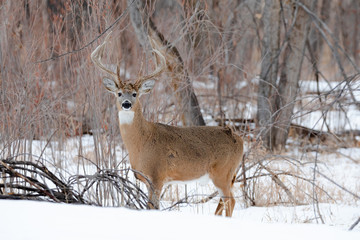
pixel 167 153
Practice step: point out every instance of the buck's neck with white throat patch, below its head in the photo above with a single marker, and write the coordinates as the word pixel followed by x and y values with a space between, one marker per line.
pixel 133 127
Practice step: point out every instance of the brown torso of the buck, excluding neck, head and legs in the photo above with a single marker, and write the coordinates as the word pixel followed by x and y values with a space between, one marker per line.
pixel 190 152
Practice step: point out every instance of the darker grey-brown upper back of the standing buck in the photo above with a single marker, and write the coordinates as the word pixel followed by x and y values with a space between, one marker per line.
pixel 196 143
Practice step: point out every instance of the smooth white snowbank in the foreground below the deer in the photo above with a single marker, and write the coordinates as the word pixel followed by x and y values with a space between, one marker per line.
pixel 40 220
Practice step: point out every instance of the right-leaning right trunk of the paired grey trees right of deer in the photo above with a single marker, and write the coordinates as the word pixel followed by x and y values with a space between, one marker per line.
pixel 289 79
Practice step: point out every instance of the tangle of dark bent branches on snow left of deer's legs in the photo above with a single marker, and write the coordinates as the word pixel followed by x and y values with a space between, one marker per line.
pixel 33 181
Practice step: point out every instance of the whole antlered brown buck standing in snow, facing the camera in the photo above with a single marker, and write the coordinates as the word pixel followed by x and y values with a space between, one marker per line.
pixel 161 154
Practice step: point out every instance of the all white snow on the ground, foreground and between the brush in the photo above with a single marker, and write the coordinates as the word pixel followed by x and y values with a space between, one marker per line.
pixel 41 220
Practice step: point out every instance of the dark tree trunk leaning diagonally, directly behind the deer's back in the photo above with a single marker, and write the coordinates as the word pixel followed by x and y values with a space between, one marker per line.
pixel 186 100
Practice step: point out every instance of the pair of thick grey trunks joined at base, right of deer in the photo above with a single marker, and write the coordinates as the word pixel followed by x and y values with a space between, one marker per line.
pixel 276 99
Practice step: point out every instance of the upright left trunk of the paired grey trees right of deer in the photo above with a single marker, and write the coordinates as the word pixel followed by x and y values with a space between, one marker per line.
pixel 269 68
